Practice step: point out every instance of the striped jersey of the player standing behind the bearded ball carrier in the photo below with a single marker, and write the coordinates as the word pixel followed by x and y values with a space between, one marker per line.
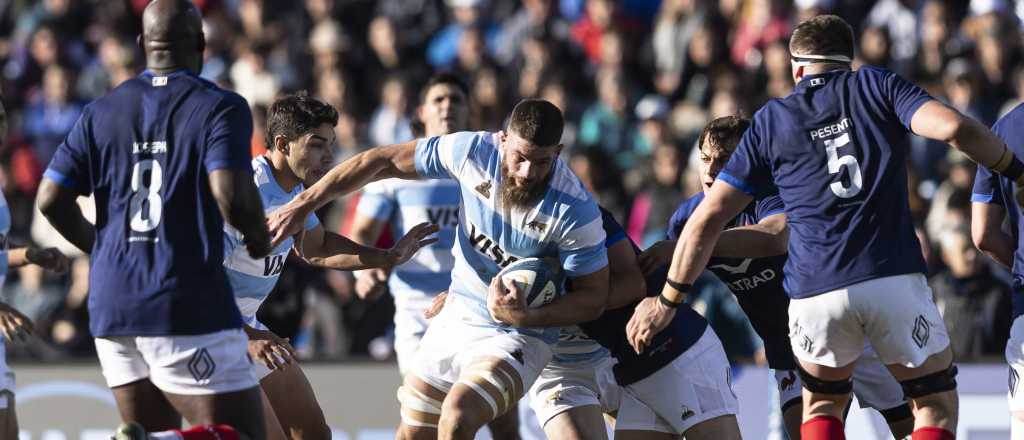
pixel 405 204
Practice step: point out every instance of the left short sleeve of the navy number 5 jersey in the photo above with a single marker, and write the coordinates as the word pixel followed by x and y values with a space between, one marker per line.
pixel 747 169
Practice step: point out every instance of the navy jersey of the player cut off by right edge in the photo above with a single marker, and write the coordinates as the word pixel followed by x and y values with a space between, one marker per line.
pixel 994 189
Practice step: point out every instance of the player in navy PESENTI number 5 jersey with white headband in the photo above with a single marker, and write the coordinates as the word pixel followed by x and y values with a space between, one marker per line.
pixel 836 150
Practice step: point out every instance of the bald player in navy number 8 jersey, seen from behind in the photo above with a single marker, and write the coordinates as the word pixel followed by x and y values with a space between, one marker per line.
pixel 161 154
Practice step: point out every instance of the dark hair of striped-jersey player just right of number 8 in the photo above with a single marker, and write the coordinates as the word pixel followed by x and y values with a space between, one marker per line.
pixel 294 116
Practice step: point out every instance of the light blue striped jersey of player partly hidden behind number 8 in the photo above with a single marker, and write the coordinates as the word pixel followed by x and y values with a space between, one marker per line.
pixel 253 280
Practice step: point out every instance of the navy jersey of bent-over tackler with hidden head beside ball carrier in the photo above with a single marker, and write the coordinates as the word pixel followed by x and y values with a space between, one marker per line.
pixel 610 329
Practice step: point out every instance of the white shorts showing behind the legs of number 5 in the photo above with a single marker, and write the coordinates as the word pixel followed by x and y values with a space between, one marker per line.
pixel 873 384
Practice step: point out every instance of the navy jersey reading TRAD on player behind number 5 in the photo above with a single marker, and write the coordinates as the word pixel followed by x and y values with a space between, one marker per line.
pixel 756 282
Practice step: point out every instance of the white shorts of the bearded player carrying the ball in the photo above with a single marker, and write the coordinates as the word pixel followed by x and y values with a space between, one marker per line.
pixel 452 344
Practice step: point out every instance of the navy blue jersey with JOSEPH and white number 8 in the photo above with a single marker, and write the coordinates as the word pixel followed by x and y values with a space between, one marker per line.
pixel 145 152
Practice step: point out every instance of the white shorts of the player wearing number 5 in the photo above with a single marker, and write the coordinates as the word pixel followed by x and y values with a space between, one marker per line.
pixel 895 314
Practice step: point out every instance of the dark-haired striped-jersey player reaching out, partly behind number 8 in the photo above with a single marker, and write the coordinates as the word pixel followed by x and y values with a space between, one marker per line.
pixel 301 135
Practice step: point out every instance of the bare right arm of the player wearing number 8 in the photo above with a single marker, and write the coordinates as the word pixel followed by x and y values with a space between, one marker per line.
pixel 240 204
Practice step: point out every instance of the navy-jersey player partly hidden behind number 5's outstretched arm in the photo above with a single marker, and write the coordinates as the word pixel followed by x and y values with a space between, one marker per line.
pixel 755 277
